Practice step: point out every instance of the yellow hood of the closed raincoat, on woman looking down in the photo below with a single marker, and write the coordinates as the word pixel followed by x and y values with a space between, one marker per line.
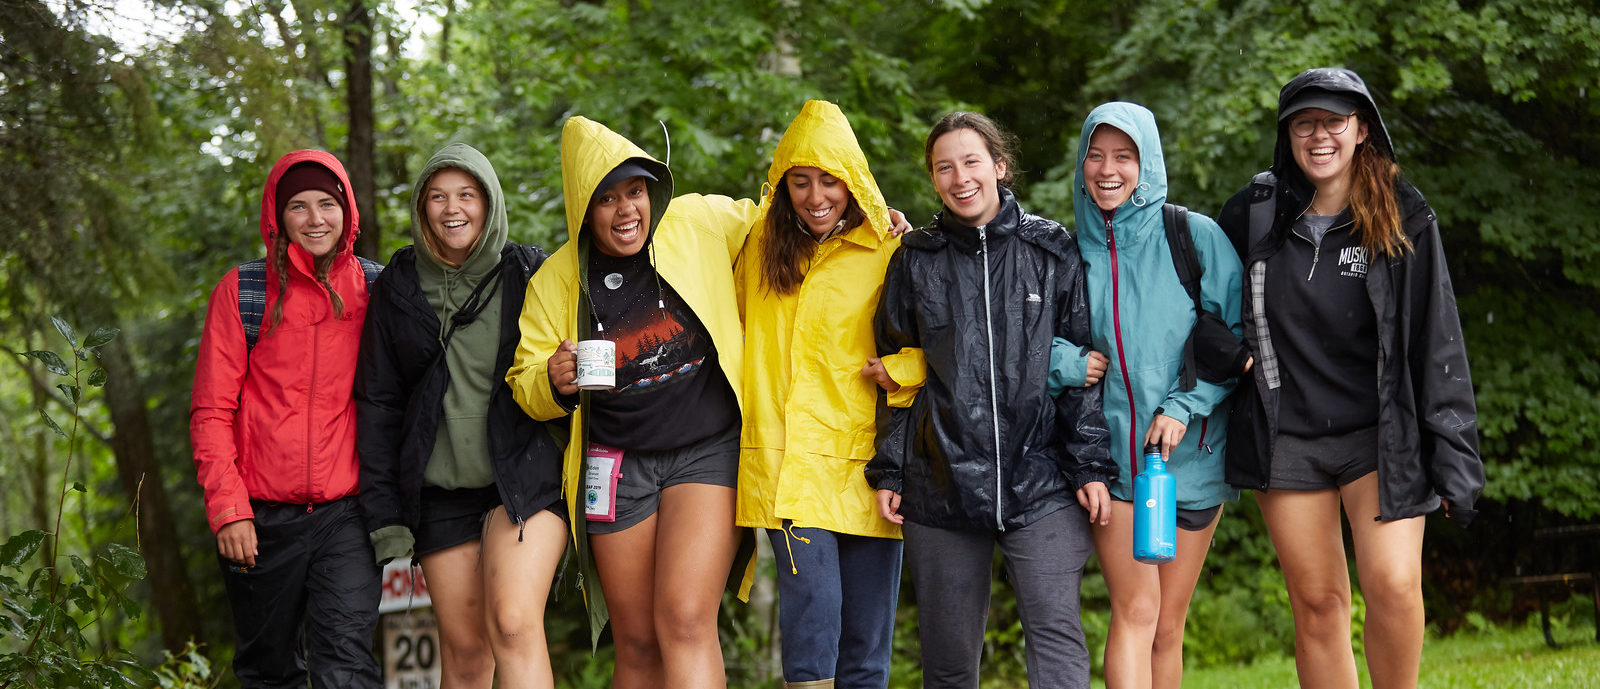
pixel 822 138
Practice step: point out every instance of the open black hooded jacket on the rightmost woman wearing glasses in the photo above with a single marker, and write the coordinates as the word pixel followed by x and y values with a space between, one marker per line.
pixel 1428 442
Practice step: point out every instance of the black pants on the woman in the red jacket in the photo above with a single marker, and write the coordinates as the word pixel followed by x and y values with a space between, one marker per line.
pixel 310 607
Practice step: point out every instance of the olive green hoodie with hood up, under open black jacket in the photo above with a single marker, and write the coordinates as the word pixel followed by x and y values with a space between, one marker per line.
pixel 462 453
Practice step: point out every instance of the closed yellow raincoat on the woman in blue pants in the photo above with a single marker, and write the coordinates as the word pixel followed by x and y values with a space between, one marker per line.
pixel 809 413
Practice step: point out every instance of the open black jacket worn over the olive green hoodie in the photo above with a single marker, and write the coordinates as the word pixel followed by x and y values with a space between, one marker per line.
pixel 401 386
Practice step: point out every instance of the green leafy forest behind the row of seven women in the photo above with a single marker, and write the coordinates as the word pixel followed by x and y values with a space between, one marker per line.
pixel 132 170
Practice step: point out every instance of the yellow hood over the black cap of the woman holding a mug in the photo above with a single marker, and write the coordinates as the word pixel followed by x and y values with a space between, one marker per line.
pixel 590 153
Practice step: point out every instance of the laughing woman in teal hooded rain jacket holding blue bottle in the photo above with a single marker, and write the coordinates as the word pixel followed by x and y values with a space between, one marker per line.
pixel 1142 317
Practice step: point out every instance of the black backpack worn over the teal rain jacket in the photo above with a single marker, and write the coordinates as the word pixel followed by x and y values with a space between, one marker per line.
pixel 1212 352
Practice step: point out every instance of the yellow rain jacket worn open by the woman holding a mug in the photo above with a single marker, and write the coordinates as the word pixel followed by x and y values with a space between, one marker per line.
pixel 697 242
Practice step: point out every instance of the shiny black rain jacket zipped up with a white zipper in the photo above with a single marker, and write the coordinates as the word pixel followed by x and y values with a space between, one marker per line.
pixel 985 447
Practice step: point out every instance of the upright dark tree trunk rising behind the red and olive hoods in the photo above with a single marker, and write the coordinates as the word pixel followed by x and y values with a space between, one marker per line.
pixel 359 95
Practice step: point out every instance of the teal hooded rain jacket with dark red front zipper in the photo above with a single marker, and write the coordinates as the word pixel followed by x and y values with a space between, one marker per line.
pixel 1132 284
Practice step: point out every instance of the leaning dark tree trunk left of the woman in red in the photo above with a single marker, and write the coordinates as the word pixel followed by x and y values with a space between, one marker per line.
pixel 140 474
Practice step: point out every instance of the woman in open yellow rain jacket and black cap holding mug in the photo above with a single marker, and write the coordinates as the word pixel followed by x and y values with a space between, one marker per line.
pixel 655 276
